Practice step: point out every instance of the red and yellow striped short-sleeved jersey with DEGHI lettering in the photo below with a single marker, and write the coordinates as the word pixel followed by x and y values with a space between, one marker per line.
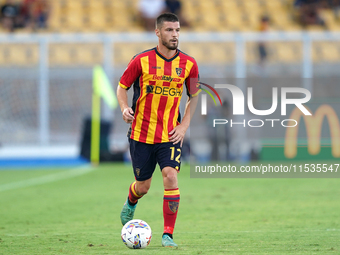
pixel 158 86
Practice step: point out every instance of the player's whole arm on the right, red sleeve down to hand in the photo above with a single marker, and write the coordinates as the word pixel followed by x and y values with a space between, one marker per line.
pixel 178 133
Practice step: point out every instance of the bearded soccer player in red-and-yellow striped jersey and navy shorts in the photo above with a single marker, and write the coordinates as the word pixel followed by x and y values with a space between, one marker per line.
pixel 159 76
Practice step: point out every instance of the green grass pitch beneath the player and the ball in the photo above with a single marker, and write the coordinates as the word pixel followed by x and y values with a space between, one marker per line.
pixel 47 211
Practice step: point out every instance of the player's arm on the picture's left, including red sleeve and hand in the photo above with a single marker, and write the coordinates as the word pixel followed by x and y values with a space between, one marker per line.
pixel 131 73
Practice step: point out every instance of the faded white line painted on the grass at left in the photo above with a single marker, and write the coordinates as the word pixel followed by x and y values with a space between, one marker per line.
pixel 47 178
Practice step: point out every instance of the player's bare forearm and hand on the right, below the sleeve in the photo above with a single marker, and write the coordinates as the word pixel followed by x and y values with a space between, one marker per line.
pixel 178 133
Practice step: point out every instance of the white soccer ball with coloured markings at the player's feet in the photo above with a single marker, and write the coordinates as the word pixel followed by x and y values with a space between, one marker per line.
pixel 136 234
